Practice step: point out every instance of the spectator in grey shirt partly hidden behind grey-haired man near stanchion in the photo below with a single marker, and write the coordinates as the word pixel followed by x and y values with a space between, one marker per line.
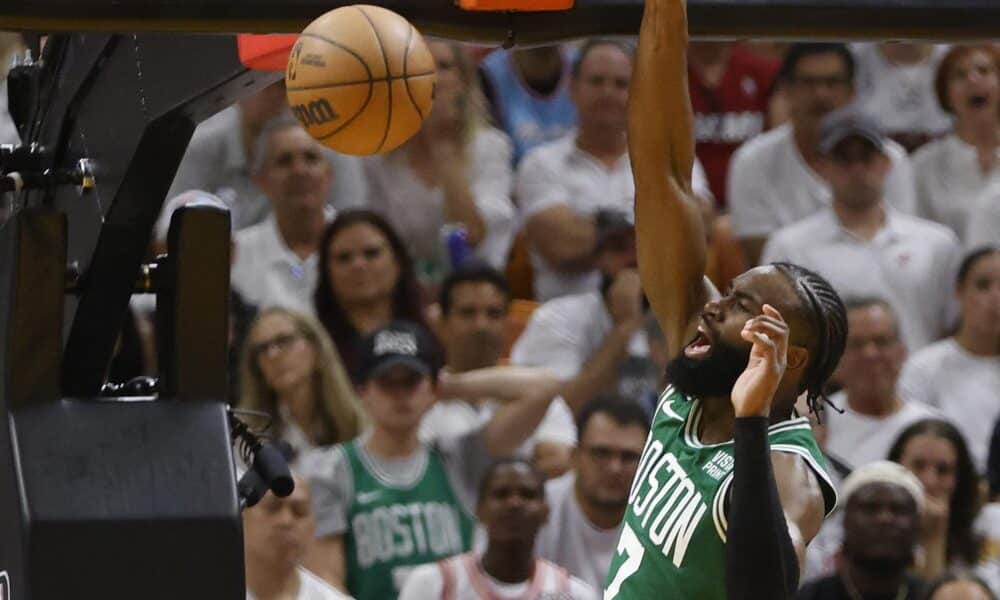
pixel 222 152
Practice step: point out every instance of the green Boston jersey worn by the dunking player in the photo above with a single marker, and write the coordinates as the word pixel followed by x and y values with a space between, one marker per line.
pixel 673 538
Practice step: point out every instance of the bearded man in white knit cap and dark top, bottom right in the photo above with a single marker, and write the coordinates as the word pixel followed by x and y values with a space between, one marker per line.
pixel 881 516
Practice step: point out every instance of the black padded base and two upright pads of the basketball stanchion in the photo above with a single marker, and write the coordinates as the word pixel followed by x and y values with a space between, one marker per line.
pixel 120 497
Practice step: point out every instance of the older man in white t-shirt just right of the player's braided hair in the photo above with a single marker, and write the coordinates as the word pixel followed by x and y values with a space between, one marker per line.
pixel 873 412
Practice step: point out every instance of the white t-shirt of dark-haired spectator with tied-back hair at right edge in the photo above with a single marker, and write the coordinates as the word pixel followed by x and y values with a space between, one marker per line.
pixel 963 387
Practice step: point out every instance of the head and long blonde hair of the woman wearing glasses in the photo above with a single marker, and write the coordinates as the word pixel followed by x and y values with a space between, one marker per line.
pixel 290 371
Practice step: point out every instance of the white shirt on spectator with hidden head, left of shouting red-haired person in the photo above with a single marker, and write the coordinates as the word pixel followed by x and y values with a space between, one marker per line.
pixel 901 97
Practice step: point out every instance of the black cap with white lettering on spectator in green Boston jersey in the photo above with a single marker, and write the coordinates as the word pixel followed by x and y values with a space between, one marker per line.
pixel 400 343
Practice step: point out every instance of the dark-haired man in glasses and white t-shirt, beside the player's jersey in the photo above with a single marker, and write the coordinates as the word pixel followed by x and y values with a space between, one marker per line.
pixel 587 505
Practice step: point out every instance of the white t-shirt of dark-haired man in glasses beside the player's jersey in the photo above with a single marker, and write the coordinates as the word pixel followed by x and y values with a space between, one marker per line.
pixel 570 540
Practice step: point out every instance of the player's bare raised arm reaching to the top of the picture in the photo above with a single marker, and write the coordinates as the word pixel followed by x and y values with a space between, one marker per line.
pixel 669 230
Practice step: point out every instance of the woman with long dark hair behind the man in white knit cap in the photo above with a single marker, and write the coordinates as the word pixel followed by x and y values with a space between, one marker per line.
pixel 935 451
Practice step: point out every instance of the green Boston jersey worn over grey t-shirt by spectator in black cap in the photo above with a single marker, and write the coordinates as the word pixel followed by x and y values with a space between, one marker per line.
pixel 392 529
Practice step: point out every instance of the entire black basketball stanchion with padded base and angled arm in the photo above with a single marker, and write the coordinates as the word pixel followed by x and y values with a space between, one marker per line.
pixel 117 490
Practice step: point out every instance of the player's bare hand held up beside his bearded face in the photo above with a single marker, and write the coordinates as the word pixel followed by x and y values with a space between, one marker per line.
pixel 754 390
